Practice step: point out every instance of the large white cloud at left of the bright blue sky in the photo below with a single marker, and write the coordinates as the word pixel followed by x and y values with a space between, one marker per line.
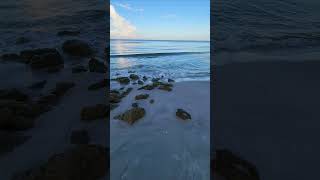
pixel 119 26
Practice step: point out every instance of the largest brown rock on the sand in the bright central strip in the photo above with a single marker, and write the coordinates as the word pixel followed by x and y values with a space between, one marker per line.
pixel 132 115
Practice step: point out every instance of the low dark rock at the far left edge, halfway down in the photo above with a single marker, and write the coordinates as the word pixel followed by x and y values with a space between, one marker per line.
pixel 13 94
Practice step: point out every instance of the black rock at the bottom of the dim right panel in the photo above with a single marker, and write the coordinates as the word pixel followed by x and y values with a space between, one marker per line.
pixel 230 166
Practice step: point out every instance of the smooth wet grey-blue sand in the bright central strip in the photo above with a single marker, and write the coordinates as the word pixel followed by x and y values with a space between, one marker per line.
pixel 160 145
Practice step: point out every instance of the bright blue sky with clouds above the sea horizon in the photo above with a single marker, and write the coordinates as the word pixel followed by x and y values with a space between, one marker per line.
pixel 160 19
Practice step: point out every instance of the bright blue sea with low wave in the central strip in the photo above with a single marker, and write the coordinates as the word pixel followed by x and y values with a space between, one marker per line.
pixel 179 60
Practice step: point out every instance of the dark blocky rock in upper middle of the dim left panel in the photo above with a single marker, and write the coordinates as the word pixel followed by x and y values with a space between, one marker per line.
pixel 47 60
